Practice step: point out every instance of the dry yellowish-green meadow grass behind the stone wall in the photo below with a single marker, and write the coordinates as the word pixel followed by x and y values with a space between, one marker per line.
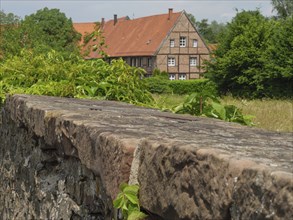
pixel 270 114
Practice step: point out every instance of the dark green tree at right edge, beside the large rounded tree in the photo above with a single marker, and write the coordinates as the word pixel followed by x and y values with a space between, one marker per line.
pixel 278 57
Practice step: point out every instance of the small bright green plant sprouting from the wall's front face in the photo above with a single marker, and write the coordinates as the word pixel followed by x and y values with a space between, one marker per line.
pixel 127 201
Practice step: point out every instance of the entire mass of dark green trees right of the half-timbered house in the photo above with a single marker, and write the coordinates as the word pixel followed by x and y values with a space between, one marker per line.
pixel 245 61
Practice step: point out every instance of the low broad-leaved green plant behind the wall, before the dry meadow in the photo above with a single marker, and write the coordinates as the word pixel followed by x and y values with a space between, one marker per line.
pixel 205 105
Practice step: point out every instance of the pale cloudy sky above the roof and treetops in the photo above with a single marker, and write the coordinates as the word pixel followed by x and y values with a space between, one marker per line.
pixel 94 10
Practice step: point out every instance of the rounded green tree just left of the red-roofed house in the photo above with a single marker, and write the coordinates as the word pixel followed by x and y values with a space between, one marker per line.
pixel 49 29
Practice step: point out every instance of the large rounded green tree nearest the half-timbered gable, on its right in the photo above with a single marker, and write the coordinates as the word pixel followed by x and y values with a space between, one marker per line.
pixel 238 63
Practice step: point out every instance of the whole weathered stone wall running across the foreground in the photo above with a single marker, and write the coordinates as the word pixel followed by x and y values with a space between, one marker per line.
pixel 65 158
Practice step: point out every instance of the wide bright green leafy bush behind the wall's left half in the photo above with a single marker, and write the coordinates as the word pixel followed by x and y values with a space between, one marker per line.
pixel 52 74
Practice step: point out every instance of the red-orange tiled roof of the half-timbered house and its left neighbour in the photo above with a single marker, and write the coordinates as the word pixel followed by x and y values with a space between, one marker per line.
pixel 137 37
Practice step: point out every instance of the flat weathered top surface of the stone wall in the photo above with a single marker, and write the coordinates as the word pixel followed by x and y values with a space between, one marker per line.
pixel 133 123
